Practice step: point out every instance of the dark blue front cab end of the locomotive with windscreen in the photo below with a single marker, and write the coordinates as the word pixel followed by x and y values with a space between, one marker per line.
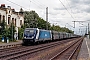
pixel 30 35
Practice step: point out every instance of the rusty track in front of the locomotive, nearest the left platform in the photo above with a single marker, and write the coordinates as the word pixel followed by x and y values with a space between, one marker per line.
pixel 8 50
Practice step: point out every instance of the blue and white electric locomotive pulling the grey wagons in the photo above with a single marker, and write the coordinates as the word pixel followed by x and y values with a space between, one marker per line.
pixel 32 35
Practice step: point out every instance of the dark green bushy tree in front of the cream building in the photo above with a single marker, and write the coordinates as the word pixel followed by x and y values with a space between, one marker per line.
pixel 7 31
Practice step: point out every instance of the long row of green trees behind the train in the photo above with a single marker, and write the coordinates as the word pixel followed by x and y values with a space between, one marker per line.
pixel 32 20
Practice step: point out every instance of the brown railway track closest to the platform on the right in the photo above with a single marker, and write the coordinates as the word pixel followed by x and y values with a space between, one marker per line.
pixel 68 53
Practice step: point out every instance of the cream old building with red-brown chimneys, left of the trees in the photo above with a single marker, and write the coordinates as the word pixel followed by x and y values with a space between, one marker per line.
pixel 11 16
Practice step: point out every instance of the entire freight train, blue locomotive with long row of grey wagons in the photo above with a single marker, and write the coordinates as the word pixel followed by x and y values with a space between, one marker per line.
pixel 32 35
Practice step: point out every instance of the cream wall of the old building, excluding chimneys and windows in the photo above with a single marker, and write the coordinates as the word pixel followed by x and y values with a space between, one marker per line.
pixel 7 12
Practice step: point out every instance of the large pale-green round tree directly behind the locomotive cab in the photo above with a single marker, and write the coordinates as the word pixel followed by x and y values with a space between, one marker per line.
pixel 30 18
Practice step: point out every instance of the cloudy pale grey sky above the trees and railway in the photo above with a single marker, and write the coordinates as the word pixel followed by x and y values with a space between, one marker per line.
pixel 60 12
